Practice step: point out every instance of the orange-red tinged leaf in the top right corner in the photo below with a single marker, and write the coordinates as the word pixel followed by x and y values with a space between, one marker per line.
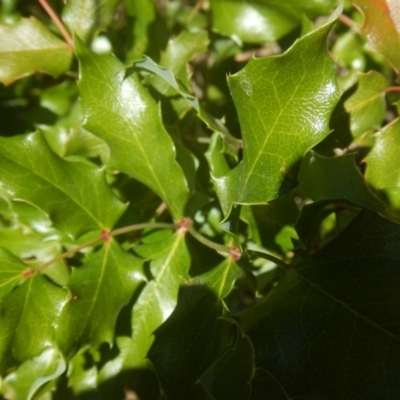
pixel 382 27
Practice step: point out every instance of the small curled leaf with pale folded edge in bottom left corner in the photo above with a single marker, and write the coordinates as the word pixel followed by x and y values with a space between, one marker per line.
pixel 32 375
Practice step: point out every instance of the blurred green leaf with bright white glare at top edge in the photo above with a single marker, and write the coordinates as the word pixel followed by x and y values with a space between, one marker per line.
pixel 259 21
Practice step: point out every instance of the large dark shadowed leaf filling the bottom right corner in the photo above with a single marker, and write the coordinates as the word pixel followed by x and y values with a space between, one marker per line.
pixel 326 323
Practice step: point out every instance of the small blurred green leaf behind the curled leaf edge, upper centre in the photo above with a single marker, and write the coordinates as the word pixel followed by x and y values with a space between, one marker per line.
pixel 179 52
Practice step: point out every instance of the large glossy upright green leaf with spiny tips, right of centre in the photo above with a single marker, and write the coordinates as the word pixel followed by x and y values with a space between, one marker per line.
pixel 284 103
